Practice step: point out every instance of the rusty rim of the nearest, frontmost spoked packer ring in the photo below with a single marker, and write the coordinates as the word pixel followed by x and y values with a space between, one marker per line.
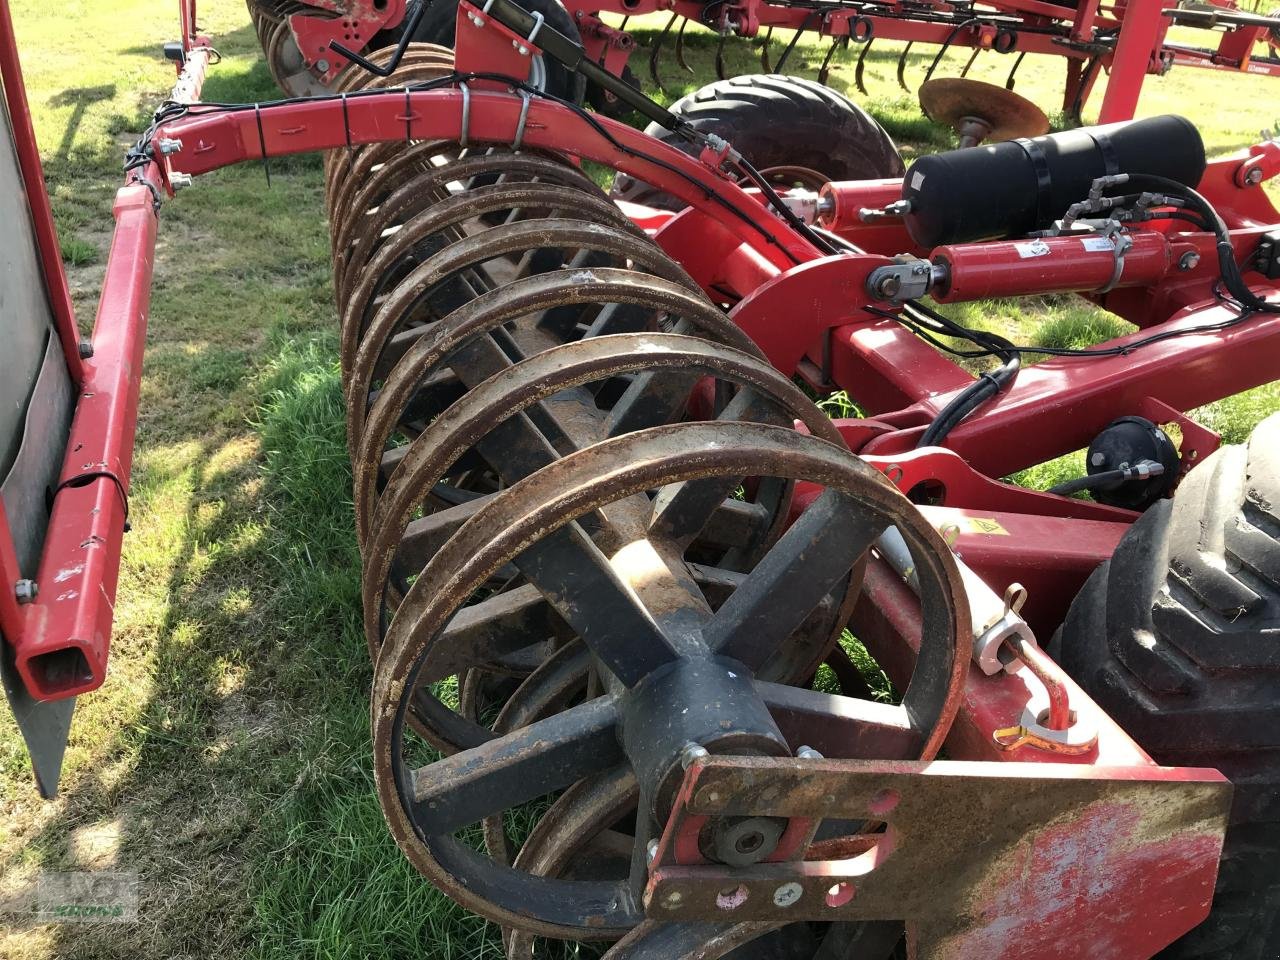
pixel 424 808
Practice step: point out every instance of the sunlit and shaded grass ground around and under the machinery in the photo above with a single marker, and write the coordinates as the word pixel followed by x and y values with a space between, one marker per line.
pixel 226 760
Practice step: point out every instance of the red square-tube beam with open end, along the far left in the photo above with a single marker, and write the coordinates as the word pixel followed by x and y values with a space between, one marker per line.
pixel 61 641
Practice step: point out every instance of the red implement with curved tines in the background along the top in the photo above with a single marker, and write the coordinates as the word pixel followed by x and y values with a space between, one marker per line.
pixel 309 44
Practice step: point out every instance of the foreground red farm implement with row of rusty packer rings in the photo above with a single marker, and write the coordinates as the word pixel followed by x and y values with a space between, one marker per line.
pixel 666 657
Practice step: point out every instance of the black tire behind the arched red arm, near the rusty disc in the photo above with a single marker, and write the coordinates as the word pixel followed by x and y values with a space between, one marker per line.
pixel 793 130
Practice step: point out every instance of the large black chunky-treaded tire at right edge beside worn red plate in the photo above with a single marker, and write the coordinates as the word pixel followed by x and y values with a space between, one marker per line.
pixel 1177 638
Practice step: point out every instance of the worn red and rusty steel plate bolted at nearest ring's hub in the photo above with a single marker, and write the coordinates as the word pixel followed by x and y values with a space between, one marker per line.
pixel 989 861
